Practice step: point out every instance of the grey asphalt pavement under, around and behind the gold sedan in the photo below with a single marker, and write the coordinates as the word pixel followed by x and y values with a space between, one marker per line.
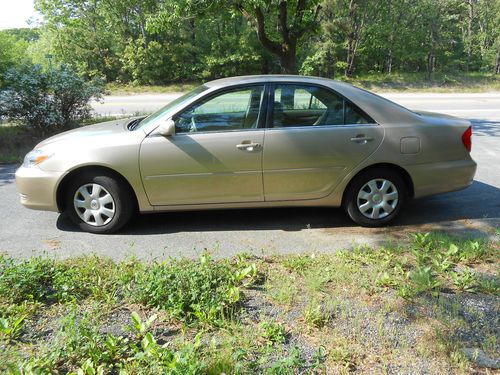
pixel 475 210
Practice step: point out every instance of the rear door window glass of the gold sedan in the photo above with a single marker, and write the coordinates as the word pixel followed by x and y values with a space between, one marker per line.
pixel 308 105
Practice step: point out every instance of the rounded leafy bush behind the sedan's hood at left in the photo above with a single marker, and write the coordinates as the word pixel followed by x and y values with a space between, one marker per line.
pixel 47 101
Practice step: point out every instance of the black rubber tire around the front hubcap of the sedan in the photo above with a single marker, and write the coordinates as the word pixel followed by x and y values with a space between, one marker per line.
pixel 121 196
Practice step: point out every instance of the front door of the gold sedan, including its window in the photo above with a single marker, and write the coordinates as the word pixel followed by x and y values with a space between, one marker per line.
pixel 215 155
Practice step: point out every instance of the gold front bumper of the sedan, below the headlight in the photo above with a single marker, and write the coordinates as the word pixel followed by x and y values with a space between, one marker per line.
pixel 37 188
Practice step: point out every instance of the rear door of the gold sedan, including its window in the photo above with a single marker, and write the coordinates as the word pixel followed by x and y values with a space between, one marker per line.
pixel 314 138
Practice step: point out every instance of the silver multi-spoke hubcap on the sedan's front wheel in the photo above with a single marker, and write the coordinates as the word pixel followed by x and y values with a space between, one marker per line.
pixel 94 204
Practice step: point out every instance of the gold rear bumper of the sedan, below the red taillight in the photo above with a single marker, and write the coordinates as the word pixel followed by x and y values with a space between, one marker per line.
pixel 443 177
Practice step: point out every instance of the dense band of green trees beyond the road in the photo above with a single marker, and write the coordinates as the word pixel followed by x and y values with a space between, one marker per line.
pixel 161 41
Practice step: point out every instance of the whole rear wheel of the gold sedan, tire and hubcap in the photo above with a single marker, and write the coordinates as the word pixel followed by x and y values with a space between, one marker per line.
pixel 375 197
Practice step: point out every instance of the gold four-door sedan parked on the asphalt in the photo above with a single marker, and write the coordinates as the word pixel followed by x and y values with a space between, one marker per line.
pixel 256 141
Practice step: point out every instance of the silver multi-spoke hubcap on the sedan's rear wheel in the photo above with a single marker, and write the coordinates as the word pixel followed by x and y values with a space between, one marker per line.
pixel 377 198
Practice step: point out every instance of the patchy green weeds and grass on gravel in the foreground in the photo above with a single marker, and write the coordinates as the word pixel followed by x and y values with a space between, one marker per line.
pixel 426 305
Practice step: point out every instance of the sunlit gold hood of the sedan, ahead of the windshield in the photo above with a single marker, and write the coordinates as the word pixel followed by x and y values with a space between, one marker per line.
pixel 86 133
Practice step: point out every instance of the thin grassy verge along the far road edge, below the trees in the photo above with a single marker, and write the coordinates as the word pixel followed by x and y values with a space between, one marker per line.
pixel 450 82
